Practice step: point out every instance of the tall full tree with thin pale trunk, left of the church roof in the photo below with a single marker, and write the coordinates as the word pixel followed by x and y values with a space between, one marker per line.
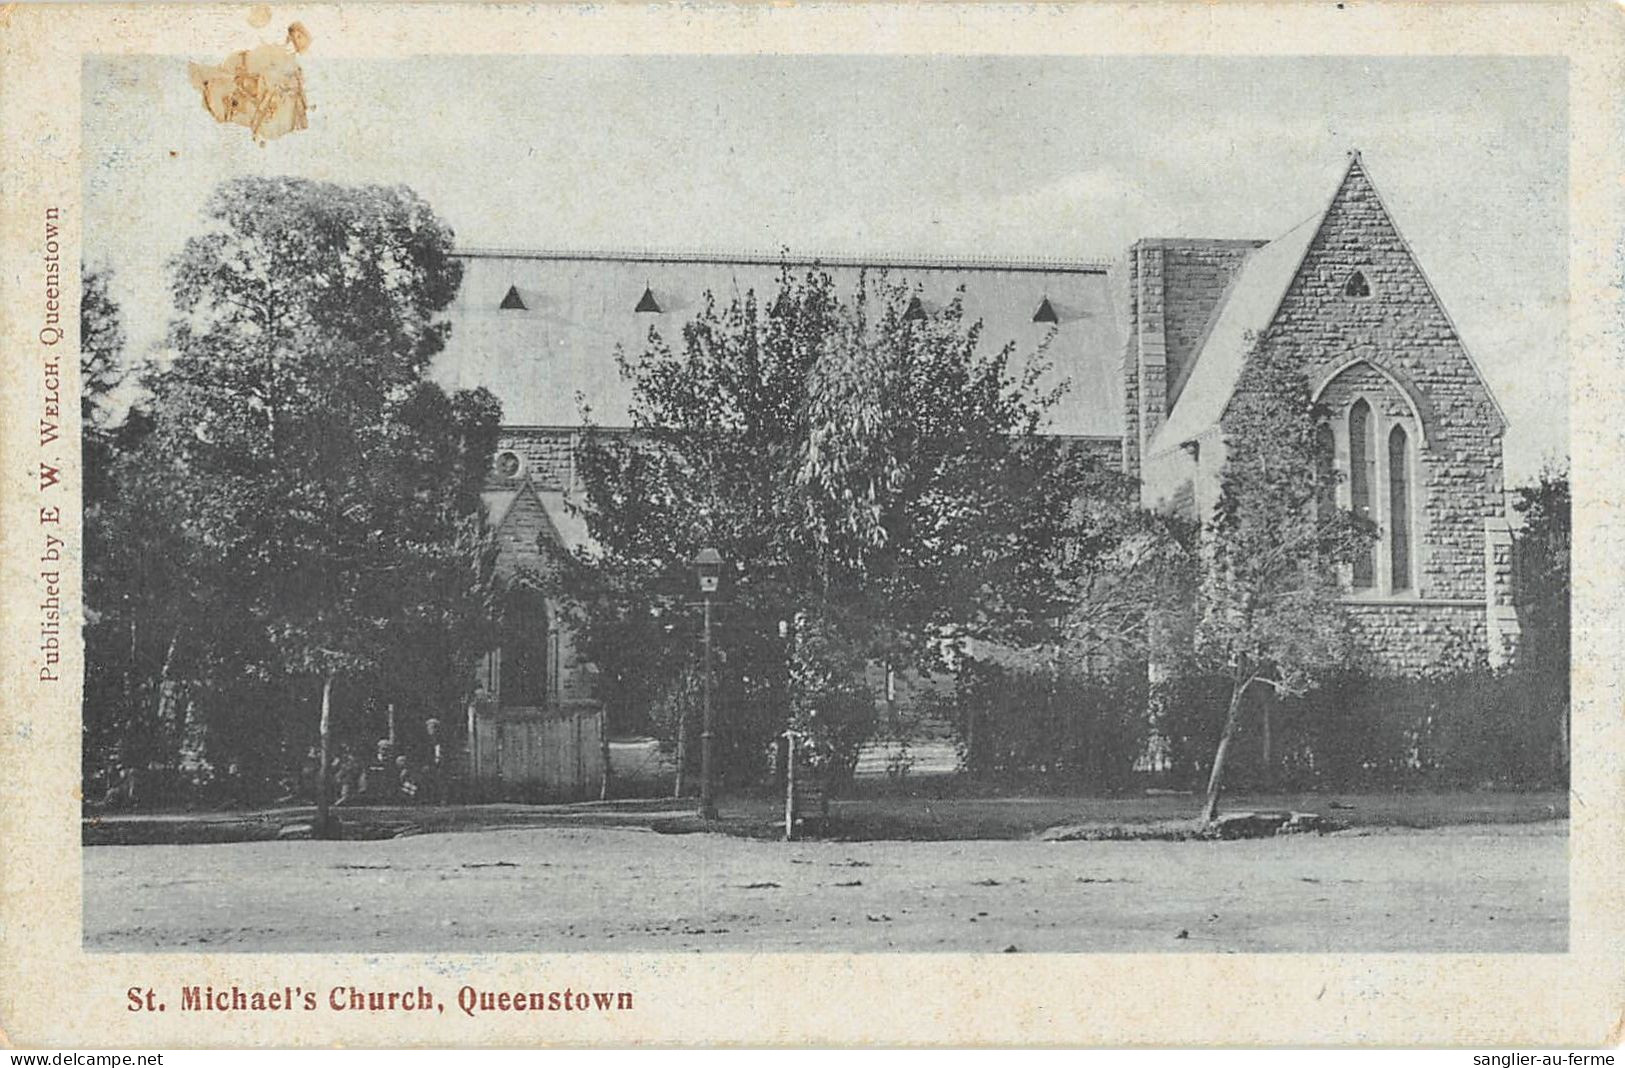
pixel 324 484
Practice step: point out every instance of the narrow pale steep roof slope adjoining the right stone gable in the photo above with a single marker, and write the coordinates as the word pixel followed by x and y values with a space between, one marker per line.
pixel 1249 308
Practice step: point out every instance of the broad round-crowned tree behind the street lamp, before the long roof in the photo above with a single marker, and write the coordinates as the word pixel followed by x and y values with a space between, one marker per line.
pixel 880 477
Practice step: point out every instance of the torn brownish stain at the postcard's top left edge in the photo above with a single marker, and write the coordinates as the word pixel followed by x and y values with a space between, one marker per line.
pixel 261 89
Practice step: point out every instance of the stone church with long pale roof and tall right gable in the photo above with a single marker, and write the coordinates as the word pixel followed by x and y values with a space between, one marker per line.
pixel 1153 347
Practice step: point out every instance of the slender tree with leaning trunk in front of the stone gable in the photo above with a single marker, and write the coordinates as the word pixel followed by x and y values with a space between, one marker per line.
pixel 1268 597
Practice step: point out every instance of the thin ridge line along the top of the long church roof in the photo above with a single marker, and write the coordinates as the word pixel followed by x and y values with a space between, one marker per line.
pixel 760 258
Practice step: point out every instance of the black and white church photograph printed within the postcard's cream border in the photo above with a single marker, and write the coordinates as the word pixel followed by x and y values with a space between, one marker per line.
pixel 864 505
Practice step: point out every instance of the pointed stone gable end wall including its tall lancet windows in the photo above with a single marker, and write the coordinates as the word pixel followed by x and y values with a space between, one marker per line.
pixel 1415 428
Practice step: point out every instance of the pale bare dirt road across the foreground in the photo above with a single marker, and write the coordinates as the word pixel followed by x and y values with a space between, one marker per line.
pixel 1467 888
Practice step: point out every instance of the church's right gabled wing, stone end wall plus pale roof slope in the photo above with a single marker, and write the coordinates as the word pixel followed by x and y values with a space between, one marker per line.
pixel 1410 422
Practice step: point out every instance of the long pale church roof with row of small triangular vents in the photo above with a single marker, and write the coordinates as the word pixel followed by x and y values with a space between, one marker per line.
pixel 548 362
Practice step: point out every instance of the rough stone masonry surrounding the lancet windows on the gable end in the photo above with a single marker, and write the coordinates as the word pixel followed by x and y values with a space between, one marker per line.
pixel 1403 331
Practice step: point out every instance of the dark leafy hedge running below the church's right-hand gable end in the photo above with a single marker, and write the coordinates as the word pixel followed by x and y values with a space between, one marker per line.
pixel 1358 732
